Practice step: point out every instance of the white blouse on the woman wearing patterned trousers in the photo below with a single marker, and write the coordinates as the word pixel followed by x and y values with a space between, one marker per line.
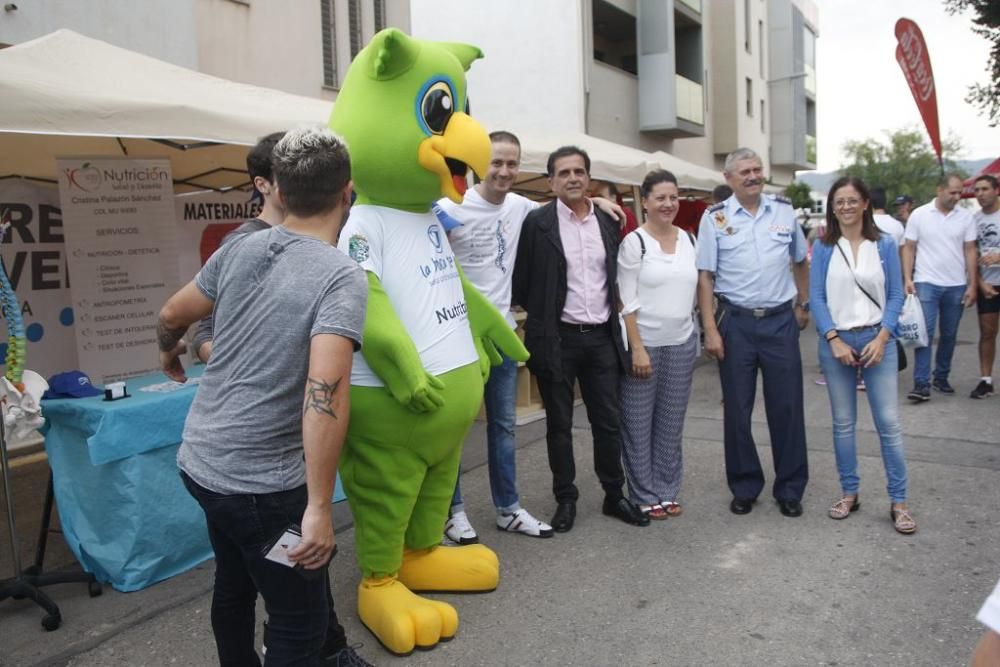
pixel 660 286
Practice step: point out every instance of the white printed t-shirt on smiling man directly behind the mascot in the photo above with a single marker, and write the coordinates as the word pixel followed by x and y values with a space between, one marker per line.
pixel 486 243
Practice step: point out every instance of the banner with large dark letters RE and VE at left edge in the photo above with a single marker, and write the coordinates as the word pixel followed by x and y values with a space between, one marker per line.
pixel 34 257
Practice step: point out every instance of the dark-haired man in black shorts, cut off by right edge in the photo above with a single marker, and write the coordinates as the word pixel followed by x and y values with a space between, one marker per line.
pixel 988 303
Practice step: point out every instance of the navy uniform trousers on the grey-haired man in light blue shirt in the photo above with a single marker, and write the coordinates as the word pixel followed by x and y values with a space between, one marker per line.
pixel 770 344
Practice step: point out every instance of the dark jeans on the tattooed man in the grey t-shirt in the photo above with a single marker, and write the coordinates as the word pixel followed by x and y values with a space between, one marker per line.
pixel 302 624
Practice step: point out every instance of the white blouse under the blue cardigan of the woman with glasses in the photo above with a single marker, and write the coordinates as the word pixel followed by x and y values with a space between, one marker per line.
pixel 849 307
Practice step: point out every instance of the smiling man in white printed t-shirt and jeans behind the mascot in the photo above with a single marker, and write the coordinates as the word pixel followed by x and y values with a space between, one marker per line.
pixel 485 244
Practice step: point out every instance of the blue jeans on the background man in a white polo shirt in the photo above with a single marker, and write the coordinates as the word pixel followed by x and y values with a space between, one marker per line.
pixel 944 305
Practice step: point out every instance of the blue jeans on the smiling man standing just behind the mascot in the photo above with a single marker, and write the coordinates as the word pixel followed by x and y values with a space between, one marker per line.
pixel 500 395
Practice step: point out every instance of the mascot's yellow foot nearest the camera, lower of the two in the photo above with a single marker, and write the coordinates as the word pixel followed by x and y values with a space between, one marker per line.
pixel 401 620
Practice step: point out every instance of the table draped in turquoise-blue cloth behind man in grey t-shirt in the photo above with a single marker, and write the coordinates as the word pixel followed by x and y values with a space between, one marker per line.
pixel 124 511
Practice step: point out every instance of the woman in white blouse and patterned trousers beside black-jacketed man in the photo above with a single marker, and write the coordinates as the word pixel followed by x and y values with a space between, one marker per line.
pixel 656 282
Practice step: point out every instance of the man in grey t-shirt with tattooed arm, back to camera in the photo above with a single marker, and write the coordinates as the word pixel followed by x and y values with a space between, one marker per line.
pixel 264 434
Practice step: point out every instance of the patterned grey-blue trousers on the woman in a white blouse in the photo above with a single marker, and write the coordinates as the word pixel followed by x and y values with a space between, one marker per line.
pixel 652 413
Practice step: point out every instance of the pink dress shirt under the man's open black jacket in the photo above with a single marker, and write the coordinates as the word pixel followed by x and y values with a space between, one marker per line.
pixel 586 268
